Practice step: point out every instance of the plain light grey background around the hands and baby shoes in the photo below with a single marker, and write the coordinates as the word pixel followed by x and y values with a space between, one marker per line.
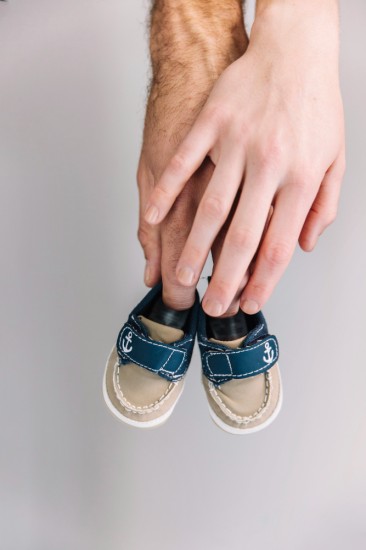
pixel 73 76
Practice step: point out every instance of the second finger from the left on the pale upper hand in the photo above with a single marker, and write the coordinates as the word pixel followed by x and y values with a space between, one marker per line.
pixel 212 212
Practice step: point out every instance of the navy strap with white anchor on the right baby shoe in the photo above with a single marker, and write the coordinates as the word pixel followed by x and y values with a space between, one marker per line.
pixel 222 365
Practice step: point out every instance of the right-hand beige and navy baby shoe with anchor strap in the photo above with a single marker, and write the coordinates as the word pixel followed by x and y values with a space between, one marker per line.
pixel 241 376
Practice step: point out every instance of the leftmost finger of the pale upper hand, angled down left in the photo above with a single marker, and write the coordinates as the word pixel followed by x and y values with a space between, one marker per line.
pixel 186 160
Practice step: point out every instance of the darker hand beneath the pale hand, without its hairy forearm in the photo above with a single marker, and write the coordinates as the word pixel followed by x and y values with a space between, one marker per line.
pixel 163 244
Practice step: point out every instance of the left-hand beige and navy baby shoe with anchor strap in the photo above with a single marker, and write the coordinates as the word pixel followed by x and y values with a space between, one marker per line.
pixel 145 372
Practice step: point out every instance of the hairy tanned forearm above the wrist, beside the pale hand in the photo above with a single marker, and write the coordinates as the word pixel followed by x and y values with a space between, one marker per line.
pixel 191 43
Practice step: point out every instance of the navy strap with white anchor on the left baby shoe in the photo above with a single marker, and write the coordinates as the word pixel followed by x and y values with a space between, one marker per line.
pixel 164 359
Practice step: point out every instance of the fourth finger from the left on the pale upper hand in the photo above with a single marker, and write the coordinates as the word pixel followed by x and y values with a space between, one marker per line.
pixel 278 245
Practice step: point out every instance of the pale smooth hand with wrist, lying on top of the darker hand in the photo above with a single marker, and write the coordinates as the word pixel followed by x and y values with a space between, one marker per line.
pixel 273 126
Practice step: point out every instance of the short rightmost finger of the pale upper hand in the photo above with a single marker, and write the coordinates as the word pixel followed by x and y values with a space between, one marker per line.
pixel 324 208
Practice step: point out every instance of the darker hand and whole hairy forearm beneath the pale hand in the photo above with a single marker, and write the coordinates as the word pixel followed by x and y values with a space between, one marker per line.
pixel 185 67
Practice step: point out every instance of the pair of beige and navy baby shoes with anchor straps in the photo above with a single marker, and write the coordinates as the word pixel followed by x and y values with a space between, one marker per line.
pixel 146 369
